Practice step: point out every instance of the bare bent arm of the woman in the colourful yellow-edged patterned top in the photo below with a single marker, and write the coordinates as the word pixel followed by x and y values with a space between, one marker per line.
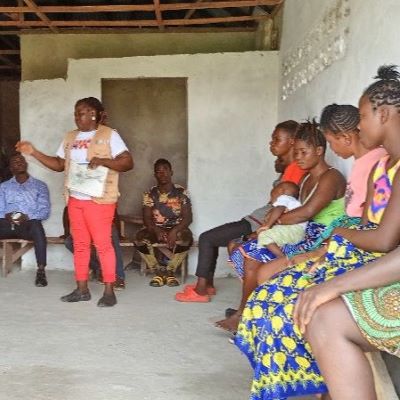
pixel 387 236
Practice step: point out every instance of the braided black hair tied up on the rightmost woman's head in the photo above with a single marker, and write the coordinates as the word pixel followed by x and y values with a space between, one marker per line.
pixel 386 90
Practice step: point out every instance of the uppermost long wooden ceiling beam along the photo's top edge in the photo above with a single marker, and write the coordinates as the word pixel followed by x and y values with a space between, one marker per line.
pixel 140 7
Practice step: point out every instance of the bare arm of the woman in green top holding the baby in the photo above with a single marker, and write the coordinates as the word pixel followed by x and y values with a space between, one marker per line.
pixel 330 184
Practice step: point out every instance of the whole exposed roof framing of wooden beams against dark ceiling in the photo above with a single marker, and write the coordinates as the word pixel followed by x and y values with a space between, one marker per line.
pixel 104 16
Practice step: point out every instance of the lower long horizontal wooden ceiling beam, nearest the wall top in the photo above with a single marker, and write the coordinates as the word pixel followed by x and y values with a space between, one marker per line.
pixel 135 23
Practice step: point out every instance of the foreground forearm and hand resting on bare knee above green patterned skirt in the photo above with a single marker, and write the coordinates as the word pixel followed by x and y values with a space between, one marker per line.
pixel 378 273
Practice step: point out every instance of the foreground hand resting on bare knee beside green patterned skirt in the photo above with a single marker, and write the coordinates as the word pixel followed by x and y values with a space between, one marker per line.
pixel 310 300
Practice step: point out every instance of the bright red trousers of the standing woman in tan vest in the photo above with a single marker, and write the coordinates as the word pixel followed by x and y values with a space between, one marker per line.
pixel 91 222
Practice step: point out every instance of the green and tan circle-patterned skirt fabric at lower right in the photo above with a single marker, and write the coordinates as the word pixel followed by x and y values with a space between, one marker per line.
pixel 377 314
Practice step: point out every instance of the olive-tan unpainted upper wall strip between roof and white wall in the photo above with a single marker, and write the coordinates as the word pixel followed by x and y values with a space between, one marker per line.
pixel 38 49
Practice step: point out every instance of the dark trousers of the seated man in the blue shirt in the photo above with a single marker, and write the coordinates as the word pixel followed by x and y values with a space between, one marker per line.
pixel 28 230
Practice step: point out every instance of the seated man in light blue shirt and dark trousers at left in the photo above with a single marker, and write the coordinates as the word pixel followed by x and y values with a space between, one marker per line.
pixel 24 203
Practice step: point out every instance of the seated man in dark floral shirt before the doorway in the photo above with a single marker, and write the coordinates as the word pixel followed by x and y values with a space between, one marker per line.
pixel 167 213
